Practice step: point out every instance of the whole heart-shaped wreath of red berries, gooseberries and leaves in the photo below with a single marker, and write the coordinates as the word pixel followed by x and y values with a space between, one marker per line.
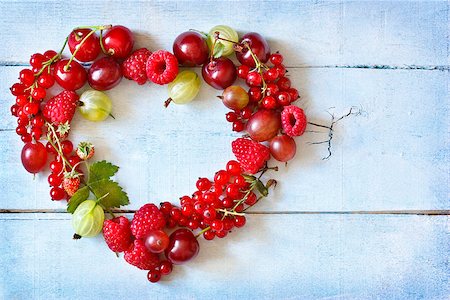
pixel 157 237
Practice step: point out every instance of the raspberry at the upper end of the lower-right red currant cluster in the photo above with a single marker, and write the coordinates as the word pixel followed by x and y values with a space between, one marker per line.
pixel 251 155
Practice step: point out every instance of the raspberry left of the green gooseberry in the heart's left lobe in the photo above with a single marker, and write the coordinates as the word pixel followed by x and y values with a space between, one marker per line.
pixel 61 108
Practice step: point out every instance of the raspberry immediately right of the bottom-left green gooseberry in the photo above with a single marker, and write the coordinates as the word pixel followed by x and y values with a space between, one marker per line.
pixel 117 234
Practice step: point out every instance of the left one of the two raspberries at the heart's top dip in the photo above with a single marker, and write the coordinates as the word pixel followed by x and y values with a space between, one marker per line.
pixel 133 67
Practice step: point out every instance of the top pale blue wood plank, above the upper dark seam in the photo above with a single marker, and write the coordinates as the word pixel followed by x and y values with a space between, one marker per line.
pixel 308 33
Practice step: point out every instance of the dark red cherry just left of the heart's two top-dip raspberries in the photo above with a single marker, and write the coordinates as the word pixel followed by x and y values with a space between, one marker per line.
pixel 104 74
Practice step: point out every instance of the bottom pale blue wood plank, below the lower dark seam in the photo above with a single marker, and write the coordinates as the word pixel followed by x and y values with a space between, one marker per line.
pixel 282 257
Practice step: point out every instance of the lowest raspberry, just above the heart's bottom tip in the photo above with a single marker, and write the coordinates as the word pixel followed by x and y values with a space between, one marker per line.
pixel 139 256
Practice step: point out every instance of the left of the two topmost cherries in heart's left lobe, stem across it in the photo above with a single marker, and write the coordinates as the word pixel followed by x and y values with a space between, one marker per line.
pixel 90 48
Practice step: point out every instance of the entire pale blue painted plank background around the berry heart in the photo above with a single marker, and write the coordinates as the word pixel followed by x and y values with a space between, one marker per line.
pixel 369 223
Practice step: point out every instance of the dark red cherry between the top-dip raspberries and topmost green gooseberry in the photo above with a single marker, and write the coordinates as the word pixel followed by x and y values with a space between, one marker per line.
pixel 191 49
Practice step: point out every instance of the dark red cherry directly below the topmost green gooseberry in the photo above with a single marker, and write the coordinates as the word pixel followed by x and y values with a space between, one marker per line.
pixel 219 73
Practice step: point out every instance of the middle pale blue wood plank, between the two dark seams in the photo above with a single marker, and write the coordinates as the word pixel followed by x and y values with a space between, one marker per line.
pixel 394 156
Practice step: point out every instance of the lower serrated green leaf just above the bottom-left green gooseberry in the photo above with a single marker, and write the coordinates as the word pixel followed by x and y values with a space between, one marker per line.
pixel 112 193
